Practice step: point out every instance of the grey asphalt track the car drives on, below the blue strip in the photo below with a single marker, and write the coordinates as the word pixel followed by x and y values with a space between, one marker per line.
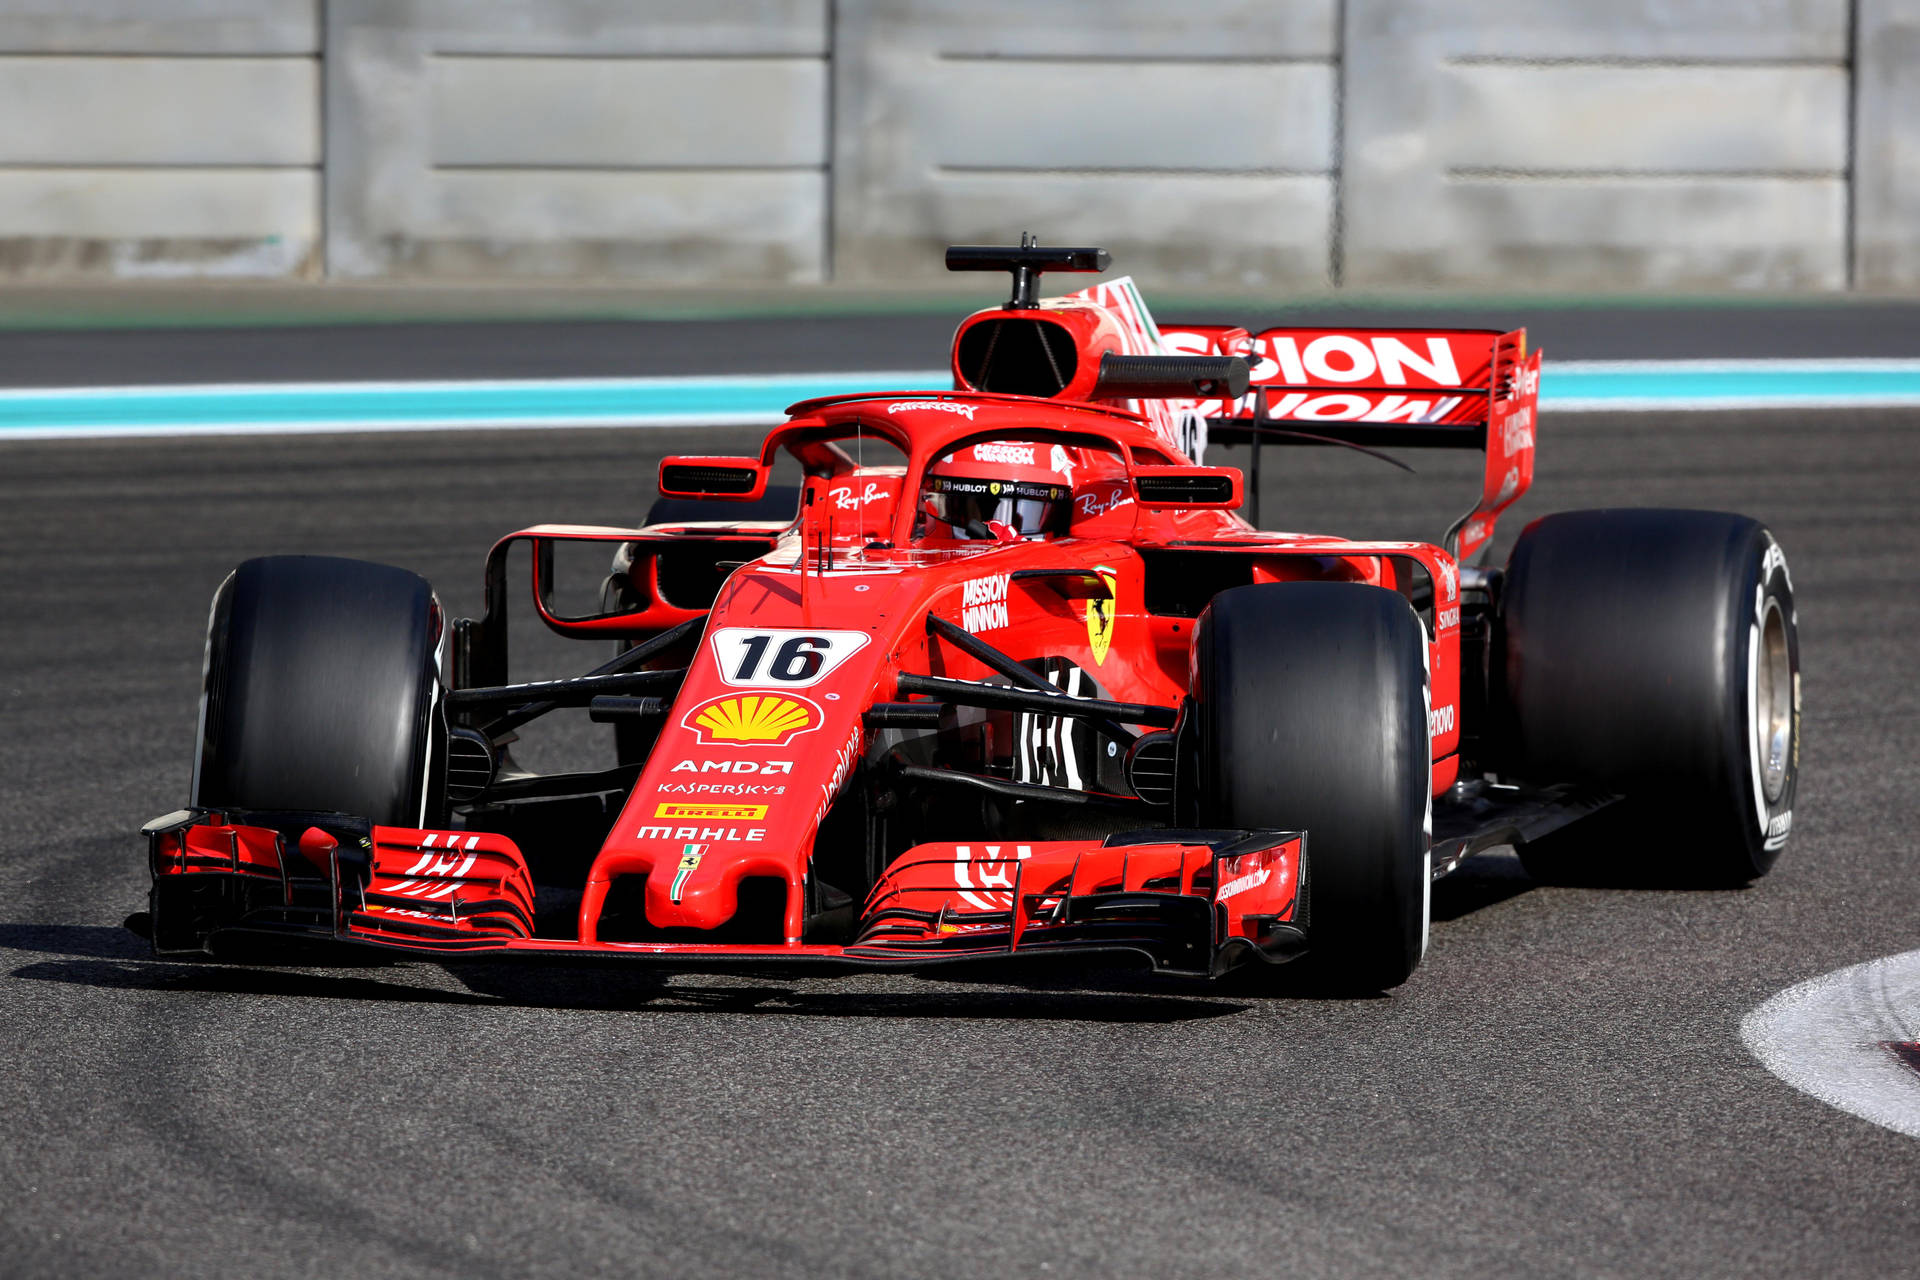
pixel 1560 1091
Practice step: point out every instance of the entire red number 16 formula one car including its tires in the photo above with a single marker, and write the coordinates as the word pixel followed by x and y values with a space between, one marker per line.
pixel 1030 688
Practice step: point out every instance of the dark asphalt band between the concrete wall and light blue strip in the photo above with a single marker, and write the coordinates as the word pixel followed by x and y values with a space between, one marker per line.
pixel 1884 329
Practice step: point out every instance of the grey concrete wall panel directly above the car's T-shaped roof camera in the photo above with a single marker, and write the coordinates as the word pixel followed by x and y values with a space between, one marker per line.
pixel 1197 149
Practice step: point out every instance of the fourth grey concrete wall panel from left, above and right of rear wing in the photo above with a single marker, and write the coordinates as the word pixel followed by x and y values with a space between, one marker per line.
pixel 1593 145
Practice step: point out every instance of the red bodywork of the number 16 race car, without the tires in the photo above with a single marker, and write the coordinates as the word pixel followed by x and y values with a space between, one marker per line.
pixel 809 636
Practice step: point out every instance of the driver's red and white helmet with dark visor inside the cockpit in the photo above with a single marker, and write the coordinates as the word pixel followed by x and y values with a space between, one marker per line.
pixel 999 490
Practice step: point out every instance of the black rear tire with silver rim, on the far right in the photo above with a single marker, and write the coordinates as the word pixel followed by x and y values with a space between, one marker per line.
pixel 1654 653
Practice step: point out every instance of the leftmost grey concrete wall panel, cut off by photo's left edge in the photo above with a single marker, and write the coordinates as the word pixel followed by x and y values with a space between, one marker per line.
pixel 160 139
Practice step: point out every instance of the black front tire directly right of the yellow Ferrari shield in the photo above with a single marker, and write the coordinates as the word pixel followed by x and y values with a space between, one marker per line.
pixel 1310 713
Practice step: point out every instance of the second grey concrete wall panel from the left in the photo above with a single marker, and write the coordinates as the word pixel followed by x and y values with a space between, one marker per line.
pixel 577 139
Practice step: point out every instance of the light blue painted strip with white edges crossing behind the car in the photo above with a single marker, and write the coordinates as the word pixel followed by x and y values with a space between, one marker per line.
pixel 763 398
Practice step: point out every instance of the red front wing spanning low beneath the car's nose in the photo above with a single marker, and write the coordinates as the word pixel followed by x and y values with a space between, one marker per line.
pixel 1195 903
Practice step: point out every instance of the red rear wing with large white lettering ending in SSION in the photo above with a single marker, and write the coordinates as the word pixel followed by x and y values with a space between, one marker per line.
pixel 1449 389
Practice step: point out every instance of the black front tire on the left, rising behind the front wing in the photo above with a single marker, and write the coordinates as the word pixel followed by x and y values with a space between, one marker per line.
pixel 322 690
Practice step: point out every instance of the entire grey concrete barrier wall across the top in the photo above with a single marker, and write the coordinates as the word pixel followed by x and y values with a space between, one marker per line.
pixel 1211 145
